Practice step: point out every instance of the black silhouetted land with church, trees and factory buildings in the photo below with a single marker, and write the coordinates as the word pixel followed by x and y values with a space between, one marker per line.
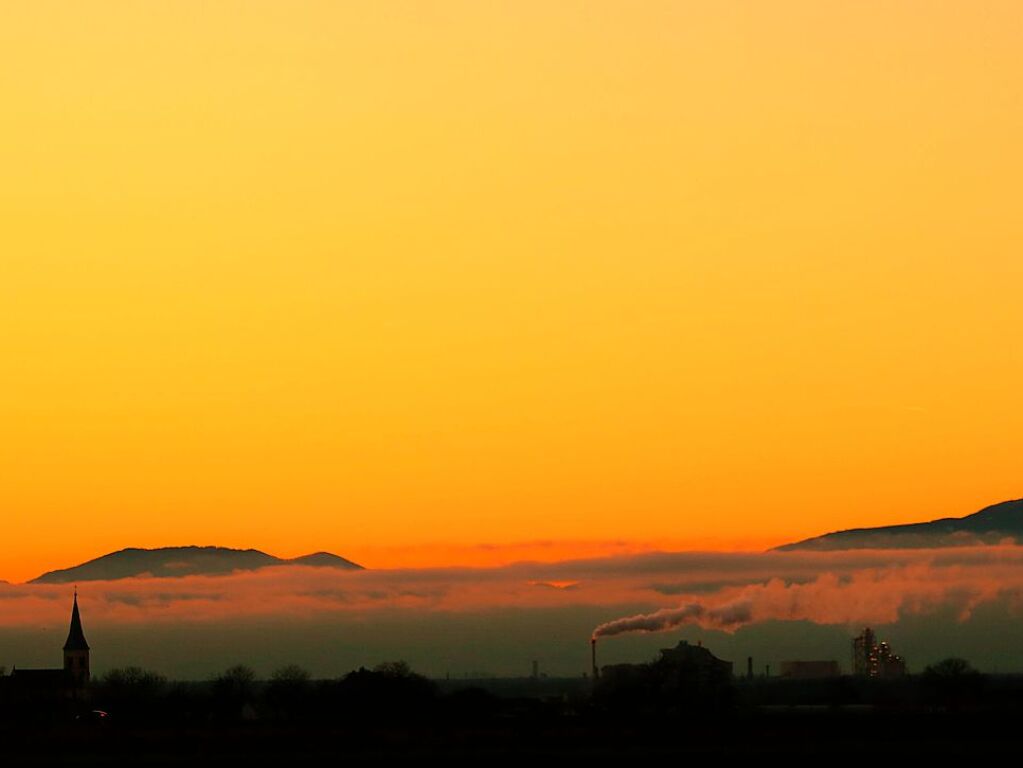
pixel 391 710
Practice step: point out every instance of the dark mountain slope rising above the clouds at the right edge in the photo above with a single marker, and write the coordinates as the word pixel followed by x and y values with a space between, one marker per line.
pixel 993 525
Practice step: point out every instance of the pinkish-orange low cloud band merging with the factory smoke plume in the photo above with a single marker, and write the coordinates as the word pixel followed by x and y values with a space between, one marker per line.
pixel 713 591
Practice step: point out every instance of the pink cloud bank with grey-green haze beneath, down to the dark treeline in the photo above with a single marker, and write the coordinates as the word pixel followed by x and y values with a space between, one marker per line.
pixel 466 621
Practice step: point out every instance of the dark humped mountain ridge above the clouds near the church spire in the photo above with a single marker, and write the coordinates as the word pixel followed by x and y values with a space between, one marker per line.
pixel 192 561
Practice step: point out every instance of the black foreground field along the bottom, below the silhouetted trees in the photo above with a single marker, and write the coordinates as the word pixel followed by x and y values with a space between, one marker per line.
pixel 830 736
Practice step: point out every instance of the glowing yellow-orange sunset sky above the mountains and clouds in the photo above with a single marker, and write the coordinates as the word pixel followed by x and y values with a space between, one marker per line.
pixel 351 277
